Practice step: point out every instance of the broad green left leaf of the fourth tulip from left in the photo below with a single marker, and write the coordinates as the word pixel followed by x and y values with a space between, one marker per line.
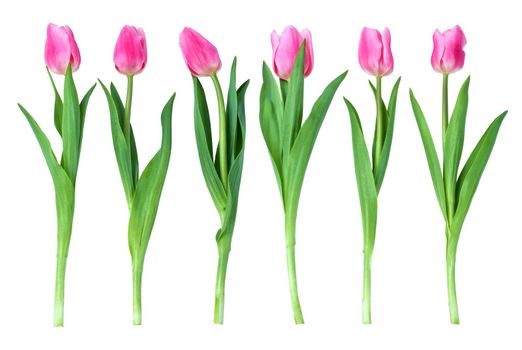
pixel 270 118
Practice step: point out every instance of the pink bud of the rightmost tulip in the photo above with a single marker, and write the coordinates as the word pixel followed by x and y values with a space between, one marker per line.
pixel 448 54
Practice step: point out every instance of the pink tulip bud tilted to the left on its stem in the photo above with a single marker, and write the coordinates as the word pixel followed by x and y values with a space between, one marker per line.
pixel 200 55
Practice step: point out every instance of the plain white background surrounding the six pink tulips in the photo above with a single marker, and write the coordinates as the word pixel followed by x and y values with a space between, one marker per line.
pixel 409 285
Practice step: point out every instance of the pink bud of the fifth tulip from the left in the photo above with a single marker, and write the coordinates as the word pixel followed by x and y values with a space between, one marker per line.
pixel 375 56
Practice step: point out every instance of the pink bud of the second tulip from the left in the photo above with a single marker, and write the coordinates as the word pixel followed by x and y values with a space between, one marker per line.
pixel 130 53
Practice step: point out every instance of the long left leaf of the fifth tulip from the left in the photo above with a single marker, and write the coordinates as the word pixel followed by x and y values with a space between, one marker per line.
pixel 365 180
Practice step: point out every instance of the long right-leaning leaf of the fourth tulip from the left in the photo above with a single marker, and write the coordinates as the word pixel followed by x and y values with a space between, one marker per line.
pixel 302 149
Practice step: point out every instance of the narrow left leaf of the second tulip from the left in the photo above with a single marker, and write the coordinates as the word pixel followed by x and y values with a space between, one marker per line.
pixel 120 148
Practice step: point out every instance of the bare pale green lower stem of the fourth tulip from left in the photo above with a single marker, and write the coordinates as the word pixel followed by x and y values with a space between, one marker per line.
pixel 290 219
